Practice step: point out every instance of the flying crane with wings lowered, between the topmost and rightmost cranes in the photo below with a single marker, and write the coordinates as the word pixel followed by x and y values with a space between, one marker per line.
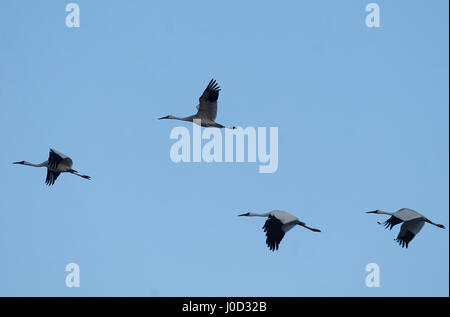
pixel 278 223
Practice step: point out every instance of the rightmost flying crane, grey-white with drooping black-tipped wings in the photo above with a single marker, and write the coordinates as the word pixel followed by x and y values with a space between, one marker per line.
pixel 411 220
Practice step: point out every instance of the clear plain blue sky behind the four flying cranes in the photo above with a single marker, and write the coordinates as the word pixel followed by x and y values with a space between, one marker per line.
pixel 363 124
